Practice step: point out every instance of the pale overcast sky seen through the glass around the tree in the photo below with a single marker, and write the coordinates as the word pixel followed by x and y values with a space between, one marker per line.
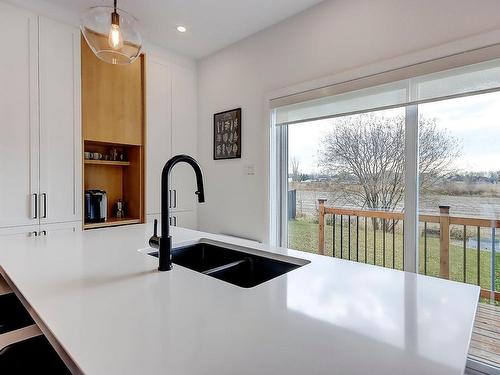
pixel 474 120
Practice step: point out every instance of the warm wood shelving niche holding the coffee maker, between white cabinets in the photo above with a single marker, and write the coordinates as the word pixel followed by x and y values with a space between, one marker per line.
pixel 113 136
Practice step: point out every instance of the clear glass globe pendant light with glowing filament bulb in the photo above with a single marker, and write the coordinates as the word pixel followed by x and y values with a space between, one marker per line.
pixel 112 34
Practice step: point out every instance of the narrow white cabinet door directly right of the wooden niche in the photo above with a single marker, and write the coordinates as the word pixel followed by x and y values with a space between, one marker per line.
pixel 159 129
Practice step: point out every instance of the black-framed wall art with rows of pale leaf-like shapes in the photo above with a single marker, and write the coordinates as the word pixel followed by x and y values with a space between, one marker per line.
pixel 227 134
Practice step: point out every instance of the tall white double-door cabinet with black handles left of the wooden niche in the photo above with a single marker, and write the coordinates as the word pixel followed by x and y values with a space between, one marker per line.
pixel 40 136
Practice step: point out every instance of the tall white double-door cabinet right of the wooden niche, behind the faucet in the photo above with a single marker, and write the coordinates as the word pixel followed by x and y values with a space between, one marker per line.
pixel 171 130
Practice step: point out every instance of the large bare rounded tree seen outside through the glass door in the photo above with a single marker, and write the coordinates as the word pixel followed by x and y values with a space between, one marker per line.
pixel 366 154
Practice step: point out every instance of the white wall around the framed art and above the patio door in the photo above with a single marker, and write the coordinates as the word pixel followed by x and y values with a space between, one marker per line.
pixel 333 37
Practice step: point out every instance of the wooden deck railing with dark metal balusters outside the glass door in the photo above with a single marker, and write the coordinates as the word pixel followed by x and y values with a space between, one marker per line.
pixel 388 222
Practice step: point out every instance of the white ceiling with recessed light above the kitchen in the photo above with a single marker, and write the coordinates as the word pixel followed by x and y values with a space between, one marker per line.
pixel 212 24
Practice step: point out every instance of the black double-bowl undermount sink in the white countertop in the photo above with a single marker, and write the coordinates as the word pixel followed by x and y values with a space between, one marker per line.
pixel 237 267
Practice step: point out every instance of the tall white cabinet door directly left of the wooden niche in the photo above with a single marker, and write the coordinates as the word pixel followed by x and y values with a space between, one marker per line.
pixel 60 129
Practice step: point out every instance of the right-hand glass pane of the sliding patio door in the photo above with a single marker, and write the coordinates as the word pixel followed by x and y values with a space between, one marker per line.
pixel 459 202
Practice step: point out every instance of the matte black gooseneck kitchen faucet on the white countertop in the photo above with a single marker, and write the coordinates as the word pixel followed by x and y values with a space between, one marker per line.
pixel 164 243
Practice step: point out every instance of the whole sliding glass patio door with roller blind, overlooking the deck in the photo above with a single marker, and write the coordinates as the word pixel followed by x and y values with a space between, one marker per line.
pixel 403 175
